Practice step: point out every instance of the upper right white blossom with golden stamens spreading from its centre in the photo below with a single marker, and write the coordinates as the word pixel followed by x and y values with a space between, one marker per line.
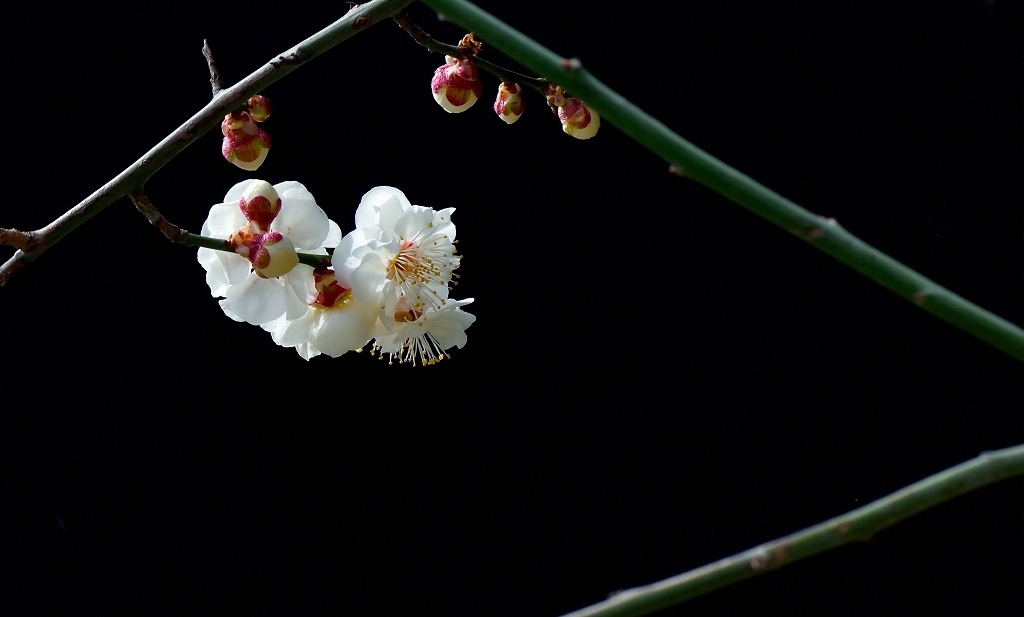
pixel 399 252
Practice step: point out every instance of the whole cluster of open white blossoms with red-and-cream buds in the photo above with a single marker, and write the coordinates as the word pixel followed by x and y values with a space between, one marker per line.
pixel 389 281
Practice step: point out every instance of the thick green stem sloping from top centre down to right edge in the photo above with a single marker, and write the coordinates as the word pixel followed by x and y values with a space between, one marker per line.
pixel 691 161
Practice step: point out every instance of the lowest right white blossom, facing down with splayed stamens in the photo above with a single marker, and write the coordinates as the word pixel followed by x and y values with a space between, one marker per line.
pixel 423 337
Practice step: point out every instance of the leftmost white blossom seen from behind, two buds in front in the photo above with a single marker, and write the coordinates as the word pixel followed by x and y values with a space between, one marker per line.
pixel 282 289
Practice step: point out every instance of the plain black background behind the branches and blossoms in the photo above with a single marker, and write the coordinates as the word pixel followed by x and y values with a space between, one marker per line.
pixel 657 380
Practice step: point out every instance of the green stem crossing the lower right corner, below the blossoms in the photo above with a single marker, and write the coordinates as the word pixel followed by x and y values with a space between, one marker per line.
pixel 861 525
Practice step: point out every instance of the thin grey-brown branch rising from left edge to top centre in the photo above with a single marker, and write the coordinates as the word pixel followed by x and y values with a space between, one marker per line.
pixel 208 118
